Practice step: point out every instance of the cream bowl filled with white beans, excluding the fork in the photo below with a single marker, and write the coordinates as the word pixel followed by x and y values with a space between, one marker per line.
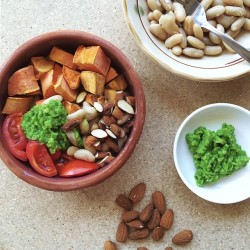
pixel 164 31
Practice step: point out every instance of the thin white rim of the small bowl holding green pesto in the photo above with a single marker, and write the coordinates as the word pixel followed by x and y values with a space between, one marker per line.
pixel 177 138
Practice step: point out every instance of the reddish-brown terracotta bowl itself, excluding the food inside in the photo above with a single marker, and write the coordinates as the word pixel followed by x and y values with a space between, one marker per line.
pixel 69 40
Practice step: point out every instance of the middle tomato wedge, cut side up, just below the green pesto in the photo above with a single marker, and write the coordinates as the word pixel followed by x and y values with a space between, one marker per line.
pixel 40 159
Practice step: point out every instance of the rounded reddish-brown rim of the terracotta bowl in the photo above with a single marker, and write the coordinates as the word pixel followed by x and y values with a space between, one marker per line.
pixel 69 184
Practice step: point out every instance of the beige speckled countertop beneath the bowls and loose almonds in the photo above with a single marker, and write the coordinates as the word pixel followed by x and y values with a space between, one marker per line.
pixel 32 218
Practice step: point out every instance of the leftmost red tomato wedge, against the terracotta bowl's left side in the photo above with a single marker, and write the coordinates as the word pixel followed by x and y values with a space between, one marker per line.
pixel 14 136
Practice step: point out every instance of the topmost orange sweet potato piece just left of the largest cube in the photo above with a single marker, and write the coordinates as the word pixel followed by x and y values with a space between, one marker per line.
pixel 62 57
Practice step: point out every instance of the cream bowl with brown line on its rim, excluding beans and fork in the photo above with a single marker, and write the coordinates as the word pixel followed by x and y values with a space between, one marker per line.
pixel 223 67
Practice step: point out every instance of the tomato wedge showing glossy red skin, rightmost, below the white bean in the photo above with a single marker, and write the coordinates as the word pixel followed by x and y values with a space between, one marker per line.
pixel 77 168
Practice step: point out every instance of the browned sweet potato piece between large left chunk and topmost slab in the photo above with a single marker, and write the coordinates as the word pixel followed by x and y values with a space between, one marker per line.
pixel 41 65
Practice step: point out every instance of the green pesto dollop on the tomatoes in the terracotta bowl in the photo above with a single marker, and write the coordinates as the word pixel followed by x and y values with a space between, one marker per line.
pixel 44 122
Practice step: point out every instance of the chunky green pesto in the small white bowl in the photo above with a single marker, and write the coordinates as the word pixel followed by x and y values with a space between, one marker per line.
pixel 216 154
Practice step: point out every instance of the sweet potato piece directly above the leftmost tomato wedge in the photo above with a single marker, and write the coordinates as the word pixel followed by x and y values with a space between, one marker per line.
pixel 18 104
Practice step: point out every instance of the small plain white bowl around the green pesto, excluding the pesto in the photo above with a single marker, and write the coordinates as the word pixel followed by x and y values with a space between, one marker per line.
pixel 230 189
